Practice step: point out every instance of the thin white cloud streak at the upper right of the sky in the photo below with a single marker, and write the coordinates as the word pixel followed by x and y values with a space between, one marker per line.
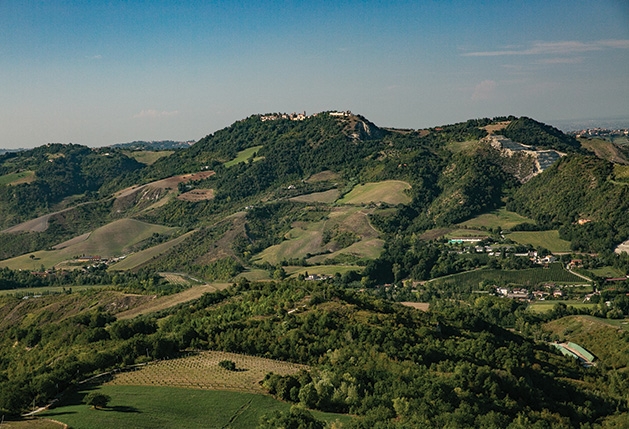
pixel 555 48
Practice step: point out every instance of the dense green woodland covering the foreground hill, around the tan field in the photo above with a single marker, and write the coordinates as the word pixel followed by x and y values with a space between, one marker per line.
pixel 389 365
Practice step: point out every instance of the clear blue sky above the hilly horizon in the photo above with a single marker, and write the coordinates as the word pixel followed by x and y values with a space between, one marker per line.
pixel 104 72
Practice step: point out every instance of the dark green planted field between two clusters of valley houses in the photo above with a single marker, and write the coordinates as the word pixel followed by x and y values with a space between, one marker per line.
pixel 528 277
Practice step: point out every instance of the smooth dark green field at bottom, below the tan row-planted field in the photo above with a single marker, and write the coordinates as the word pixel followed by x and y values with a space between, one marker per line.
pixel 168 407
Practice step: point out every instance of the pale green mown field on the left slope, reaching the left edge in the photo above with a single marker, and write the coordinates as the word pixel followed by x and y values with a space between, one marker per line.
pixel 107 241
